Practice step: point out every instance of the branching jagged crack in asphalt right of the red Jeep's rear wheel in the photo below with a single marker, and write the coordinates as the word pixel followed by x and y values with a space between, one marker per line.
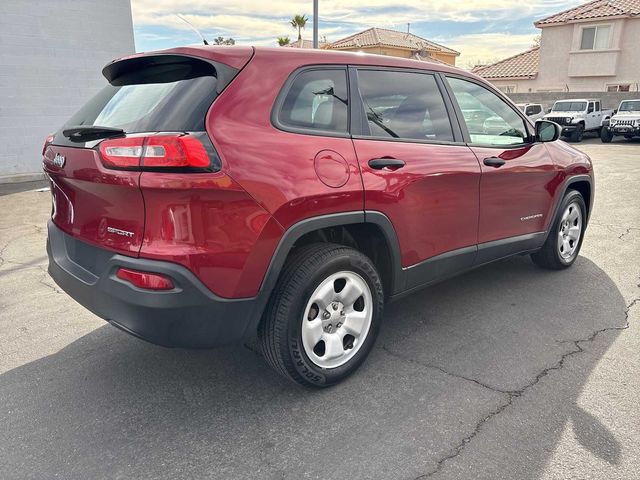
pixel 512 395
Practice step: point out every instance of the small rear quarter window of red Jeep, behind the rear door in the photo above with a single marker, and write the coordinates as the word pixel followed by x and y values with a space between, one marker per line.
pixel 317 100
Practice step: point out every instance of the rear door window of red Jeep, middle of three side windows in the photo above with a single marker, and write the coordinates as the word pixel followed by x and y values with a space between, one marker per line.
pixel 404 105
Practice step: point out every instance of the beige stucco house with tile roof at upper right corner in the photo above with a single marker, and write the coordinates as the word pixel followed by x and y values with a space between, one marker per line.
pixel 591 47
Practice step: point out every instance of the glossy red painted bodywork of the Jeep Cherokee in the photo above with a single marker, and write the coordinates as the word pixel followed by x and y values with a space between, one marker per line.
pixel 225 226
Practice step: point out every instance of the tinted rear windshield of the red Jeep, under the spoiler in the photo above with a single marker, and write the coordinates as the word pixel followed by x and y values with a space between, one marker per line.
pixel 166 97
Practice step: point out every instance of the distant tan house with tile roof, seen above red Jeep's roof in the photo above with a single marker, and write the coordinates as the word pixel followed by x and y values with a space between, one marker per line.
pixel 382 41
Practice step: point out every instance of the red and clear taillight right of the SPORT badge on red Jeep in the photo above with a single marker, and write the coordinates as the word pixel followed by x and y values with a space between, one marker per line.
pixel 155 151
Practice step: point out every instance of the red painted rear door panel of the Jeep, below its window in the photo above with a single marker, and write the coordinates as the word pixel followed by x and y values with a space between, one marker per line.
pixel 432 201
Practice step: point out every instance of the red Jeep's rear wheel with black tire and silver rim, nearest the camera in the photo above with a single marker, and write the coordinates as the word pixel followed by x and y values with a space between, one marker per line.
pixel 323 316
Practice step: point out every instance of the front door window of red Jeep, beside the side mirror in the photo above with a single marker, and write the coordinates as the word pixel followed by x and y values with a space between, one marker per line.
pixel 489 119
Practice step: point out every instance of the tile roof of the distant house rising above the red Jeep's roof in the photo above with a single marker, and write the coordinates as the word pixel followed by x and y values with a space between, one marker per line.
pixel 390 38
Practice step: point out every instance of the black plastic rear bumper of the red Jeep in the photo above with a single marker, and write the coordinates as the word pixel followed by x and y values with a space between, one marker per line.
pixel 189 316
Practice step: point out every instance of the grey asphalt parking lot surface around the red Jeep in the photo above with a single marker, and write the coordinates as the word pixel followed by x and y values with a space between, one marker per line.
pixel 510 371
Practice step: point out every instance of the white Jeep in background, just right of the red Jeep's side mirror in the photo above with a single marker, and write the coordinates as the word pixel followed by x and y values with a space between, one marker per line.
pixel 577 116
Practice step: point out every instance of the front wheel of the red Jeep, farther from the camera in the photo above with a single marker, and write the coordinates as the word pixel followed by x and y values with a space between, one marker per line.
pixel 565 237
